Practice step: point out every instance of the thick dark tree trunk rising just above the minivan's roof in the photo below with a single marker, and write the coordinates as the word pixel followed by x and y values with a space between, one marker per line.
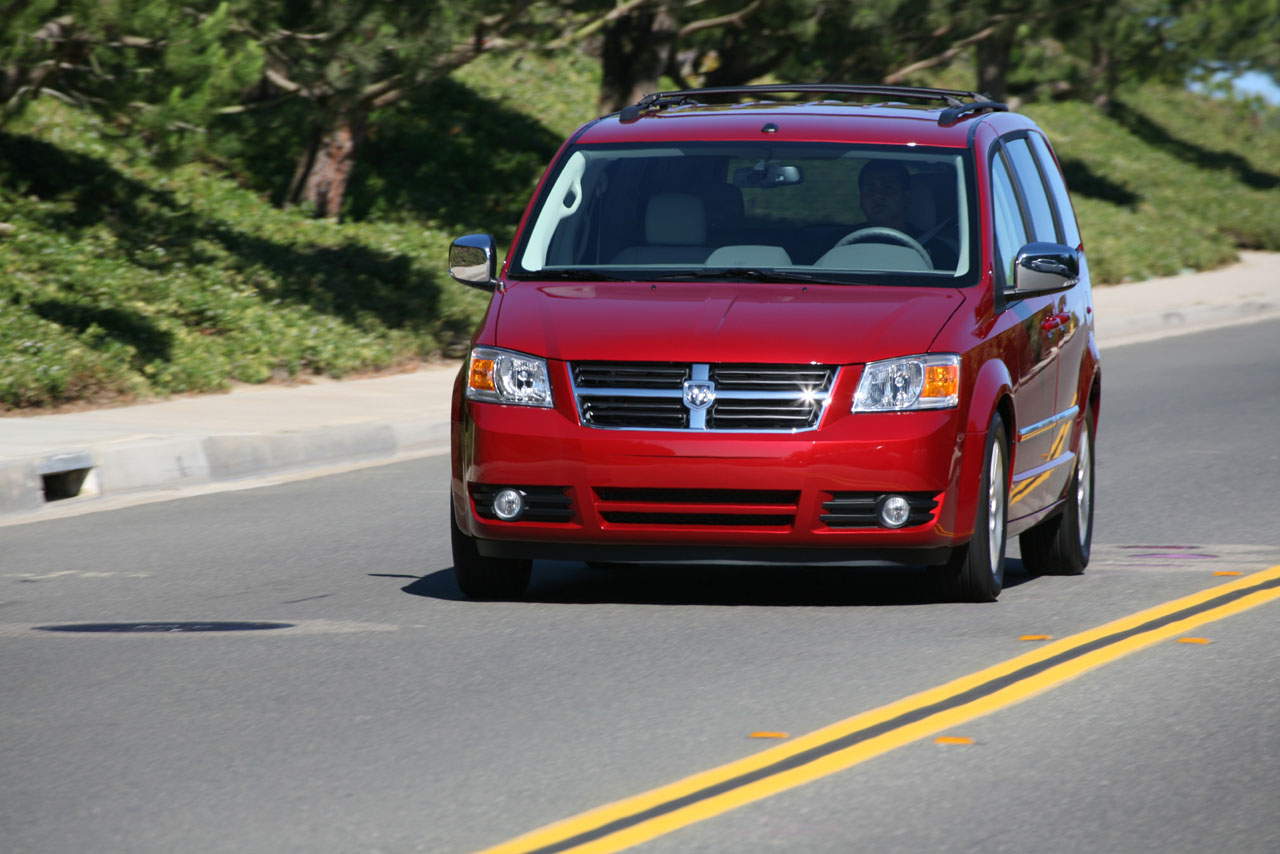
pixel 637 51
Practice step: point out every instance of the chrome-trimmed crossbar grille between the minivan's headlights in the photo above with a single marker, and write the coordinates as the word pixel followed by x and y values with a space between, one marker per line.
pixel 748 398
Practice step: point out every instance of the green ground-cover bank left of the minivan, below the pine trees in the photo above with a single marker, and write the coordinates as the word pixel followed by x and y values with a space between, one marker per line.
pixel 121 280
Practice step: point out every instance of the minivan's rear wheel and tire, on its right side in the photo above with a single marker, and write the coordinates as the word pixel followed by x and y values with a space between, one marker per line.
pixel 1060 546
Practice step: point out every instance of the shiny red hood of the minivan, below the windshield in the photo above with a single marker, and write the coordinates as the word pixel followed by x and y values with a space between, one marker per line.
pixel 723 322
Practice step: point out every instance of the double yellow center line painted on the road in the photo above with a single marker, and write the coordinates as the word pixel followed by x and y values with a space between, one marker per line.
pixel 637 820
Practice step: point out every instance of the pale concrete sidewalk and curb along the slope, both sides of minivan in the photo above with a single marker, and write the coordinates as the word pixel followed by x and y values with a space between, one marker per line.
pixel 53 460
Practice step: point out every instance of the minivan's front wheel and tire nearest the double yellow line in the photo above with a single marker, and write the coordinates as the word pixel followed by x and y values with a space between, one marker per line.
pixel 976 572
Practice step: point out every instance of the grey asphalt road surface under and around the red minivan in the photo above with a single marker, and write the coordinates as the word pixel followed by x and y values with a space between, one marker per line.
pixel 397 718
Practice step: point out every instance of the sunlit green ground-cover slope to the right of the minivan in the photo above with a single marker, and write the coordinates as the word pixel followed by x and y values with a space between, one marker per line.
pixel 1168 181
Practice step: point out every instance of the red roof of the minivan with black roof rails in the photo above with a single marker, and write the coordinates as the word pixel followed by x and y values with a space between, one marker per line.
pixel 945 118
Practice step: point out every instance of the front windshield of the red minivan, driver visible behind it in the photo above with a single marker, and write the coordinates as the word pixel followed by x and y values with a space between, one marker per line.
pixel 755 212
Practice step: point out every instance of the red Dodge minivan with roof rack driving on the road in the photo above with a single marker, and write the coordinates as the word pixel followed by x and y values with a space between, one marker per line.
pixel 784 323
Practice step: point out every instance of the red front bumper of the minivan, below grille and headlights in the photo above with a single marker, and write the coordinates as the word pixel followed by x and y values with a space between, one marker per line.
pixel 651 495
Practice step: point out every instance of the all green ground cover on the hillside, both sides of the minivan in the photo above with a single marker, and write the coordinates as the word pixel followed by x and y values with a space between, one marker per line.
pixel 121 278
